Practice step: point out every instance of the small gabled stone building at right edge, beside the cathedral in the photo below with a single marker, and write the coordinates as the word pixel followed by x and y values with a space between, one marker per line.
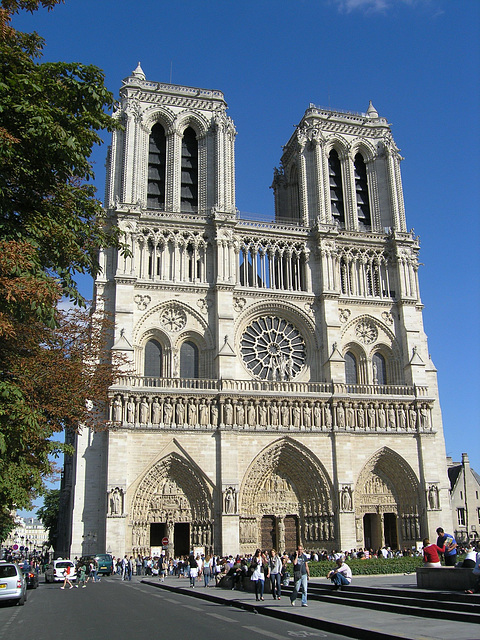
pixel 465 490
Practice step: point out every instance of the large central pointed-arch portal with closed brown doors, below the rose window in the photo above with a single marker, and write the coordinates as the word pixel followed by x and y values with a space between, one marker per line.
pixel 286 497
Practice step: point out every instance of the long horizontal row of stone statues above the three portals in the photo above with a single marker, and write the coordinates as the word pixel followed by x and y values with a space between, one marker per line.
pixel 353 416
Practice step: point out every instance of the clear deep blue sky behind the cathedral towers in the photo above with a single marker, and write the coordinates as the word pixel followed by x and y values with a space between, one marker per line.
pixel 417 60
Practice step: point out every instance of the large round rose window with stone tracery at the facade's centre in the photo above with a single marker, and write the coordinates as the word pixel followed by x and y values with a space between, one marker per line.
pixel 273 349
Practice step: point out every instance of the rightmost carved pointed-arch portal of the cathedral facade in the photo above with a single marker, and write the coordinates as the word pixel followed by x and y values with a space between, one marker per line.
pixel 387 500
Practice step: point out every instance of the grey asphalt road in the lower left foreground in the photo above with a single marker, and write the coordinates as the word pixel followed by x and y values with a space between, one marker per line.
pixel 116 609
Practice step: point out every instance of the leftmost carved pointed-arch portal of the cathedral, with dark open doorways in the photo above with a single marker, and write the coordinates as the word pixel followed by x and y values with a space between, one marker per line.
pixel 174 498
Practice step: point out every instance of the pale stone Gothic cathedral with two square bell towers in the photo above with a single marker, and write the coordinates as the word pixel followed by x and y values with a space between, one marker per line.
pixel 282 389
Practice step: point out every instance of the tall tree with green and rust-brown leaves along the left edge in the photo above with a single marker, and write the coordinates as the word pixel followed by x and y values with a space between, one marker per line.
pixel 51 226
